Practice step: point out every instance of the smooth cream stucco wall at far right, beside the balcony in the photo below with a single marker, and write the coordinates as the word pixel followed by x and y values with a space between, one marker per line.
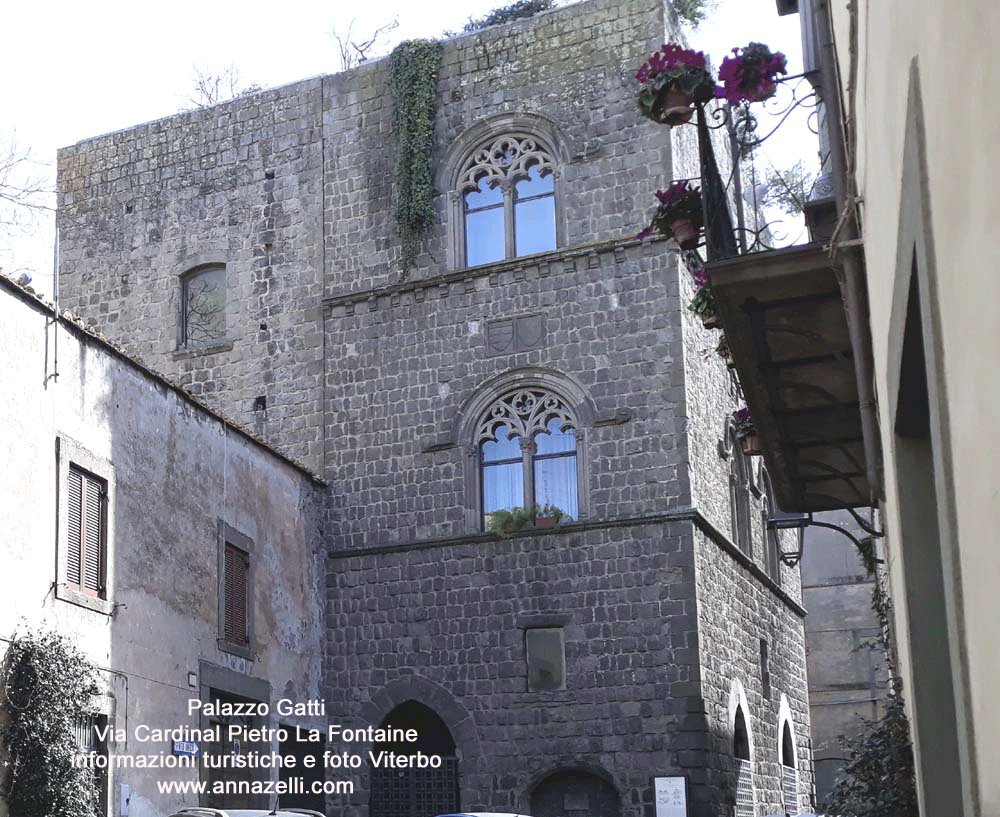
pixel 961 147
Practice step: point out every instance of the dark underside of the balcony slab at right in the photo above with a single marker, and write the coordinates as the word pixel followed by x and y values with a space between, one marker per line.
pixel 784 319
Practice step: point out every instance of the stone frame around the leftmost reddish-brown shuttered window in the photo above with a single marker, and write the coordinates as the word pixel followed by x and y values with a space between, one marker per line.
pixel 70 453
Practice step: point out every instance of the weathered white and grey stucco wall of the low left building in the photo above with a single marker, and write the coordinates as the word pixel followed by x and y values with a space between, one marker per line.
pixel 177 471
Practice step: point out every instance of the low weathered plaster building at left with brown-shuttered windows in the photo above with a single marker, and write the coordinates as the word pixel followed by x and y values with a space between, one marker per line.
pixel 180 554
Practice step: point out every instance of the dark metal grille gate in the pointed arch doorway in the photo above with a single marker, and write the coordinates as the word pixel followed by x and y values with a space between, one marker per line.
pixel 415 792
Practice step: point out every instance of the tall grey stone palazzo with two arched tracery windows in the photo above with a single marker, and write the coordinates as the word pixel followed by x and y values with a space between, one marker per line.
pixel 536 353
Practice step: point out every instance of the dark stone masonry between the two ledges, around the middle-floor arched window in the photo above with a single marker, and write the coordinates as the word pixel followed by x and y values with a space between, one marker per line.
pixel 403 365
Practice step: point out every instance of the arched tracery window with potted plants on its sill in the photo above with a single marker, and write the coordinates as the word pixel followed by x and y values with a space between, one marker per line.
pixel 528 453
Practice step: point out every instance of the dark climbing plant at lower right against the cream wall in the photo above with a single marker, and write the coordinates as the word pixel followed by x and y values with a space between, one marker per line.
pixel 878 778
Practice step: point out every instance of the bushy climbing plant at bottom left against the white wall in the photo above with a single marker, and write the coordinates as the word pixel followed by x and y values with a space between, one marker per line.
pixel 48 684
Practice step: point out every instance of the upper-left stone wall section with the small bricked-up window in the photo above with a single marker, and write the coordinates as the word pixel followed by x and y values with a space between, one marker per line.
pixel 240 184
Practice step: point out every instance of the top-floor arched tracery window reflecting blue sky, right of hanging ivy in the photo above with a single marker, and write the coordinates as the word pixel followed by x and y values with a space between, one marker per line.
pixel 507 186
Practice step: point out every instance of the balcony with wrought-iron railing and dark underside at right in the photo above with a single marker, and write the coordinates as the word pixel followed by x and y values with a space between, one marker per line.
pixel 783 315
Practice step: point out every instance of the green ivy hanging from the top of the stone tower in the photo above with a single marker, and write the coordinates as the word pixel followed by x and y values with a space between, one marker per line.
pixel 413 69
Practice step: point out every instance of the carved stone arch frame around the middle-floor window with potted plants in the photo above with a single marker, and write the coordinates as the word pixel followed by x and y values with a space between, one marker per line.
pixel 472 413
